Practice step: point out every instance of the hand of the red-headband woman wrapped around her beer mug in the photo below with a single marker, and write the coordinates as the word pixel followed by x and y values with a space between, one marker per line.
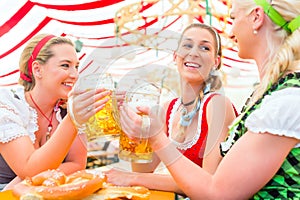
pixel 84 104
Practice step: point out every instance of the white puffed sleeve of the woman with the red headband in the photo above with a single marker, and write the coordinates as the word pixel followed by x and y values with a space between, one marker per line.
pixel 17 118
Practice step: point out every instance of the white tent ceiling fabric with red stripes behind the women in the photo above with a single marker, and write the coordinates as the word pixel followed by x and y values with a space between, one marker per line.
pixel 92 22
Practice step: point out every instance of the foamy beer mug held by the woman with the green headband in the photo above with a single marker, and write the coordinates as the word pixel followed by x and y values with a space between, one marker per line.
pixel 139 150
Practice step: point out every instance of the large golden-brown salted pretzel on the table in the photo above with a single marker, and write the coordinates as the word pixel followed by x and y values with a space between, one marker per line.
pixel 53 184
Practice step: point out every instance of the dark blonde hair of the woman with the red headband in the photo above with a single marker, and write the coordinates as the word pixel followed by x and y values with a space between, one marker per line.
pixel 42 57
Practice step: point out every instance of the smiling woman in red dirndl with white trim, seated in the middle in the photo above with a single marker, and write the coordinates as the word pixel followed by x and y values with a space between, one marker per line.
pixel 196 122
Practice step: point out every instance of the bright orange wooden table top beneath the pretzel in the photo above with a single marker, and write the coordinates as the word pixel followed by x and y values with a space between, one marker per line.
pixel 155 195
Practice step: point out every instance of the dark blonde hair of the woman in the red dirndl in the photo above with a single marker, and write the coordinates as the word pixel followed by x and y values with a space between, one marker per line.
pixel 214 80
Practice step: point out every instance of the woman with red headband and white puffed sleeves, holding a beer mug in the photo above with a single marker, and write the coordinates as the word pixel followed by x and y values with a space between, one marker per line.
pixel 36 133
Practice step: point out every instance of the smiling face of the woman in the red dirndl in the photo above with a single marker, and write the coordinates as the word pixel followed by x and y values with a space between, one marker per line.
pixel 196 55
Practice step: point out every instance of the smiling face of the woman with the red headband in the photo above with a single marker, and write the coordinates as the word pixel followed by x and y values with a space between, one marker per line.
pixel 60 72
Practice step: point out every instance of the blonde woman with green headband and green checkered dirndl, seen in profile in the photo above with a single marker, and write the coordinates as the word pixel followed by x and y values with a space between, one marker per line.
pixel 262 153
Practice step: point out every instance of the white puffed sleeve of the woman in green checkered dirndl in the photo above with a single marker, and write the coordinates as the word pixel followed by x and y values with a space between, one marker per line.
pixel 279 114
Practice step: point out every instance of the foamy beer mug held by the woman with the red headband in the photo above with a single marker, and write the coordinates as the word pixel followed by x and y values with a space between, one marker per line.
pixel 105 123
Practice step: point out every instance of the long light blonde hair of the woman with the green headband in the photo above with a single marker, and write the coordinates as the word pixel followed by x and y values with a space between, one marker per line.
pixel 286 57
